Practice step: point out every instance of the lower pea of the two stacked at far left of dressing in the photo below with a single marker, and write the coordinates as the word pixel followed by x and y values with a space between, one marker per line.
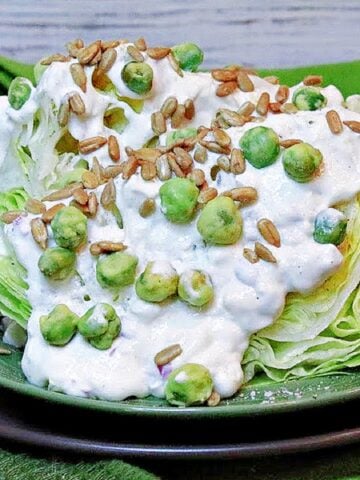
pixel 57 263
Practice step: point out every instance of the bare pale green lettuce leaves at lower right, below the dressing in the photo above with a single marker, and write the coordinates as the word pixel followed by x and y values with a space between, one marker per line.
pixel 317 333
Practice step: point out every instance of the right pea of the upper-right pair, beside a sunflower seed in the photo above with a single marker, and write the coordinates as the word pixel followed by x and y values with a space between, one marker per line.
pixel 301 162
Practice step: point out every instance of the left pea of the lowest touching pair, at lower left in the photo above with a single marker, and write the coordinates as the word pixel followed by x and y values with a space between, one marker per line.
pixel 59 326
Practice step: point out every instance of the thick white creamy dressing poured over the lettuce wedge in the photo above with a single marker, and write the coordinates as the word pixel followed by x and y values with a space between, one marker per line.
pixel 248 297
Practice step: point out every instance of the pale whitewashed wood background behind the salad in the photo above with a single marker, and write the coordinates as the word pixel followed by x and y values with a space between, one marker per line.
pixel 252 32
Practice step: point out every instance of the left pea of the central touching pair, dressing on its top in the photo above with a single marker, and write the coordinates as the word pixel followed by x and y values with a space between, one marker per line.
pixel 157 282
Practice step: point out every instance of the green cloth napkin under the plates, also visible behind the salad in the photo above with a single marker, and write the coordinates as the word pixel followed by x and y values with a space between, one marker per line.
pixel 329 465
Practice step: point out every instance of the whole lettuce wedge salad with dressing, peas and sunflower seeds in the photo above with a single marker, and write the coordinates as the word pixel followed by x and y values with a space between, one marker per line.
pixel 175 232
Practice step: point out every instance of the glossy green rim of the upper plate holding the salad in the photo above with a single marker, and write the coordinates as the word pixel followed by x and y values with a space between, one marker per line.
pixel 171 412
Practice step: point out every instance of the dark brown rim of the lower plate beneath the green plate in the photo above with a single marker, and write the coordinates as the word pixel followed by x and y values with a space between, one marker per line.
pixel 234 450
